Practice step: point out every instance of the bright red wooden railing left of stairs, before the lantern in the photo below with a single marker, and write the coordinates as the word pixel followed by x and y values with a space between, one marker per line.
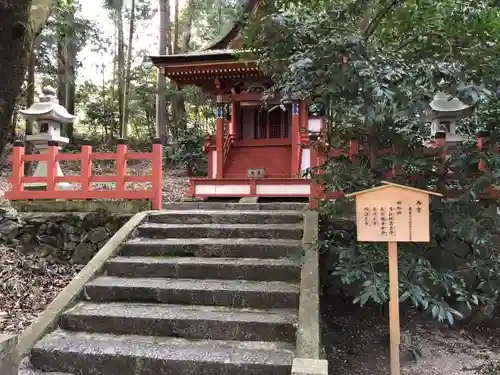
pixel 85 179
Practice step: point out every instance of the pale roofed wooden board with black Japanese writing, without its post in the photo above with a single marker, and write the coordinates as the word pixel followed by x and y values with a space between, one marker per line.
pixel 393 213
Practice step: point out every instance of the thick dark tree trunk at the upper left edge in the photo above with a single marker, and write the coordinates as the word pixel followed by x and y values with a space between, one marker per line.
pixel 15 42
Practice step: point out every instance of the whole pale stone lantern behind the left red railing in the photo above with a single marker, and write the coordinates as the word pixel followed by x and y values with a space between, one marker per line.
pixel 49 115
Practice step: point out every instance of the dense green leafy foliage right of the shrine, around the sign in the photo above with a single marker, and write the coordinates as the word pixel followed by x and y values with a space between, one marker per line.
pixel 374 67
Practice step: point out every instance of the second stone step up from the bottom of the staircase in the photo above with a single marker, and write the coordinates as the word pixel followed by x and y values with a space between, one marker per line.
pixel 193 322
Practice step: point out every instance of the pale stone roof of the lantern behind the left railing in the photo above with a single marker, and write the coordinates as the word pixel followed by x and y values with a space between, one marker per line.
pixel 48 108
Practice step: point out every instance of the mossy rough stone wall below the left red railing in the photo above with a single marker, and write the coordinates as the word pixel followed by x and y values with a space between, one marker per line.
pixel 61 236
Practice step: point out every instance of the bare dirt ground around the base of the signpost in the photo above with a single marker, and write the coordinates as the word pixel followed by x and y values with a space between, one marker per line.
pixel 357 343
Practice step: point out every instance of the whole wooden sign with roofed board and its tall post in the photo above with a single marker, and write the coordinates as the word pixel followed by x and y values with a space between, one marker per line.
pixel 393 213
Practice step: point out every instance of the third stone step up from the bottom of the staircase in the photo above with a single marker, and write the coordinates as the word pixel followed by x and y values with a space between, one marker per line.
pixel 235 293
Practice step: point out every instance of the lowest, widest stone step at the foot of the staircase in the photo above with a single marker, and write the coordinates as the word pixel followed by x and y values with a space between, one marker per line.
pixel 98 354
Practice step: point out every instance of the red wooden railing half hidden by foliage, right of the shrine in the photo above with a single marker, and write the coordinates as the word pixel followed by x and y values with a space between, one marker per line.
pixel 354 151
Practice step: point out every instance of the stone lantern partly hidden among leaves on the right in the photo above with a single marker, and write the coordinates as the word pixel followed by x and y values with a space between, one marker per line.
pixel 445 112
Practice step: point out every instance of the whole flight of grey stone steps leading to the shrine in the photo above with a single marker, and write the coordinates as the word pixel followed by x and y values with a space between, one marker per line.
pixel 197 292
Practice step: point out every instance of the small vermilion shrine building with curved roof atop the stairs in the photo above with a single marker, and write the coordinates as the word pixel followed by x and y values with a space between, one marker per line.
pixel 260 148
